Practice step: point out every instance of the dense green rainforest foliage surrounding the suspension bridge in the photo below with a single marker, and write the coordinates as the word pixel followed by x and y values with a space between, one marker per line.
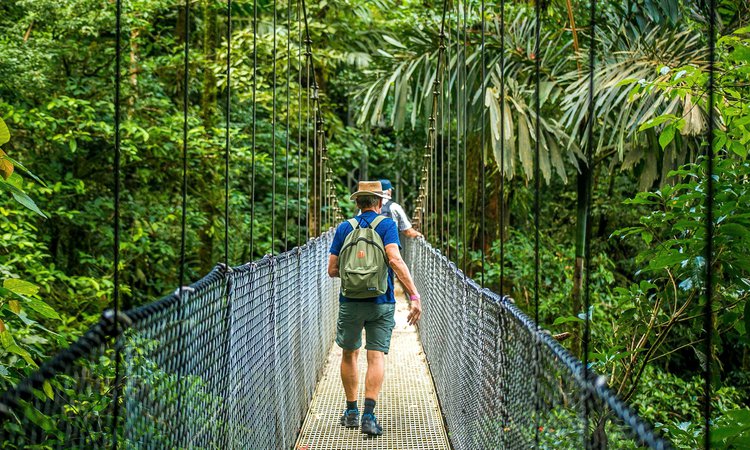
pixel 375 63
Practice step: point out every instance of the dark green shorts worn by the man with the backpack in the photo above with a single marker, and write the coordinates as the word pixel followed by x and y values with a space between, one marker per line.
pixel 376 319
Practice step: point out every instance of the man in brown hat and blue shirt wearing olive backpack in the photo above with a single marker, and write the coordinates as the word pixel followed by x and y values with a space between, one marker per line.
pixel 365 254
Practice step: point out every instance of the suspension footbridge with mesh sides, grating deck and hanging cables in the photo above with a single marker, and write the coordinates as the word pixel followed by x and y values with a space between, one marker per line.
pixel 244 357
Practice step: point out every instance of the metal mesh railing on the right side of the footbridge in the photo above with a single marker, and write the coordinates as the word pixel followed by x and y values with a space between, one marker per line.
pixel 504 383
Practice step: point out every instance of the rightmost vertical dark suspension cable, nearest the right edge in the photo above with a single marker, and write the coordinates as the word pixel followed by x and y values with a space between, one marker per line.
pixel 709 205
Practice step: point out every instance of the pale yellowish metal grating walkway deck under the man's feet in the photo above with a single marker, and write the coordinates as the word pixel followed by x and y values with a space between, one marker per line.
pixel 407 408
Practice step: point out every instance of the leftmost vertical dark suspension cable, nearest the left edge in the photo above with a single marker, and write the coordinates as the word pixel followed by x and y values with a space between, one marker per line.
pixel 116 248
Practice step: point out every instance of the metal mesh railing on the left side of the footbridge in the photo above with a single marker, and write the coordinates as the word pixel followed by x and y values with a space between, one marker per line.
pixel 233 364
